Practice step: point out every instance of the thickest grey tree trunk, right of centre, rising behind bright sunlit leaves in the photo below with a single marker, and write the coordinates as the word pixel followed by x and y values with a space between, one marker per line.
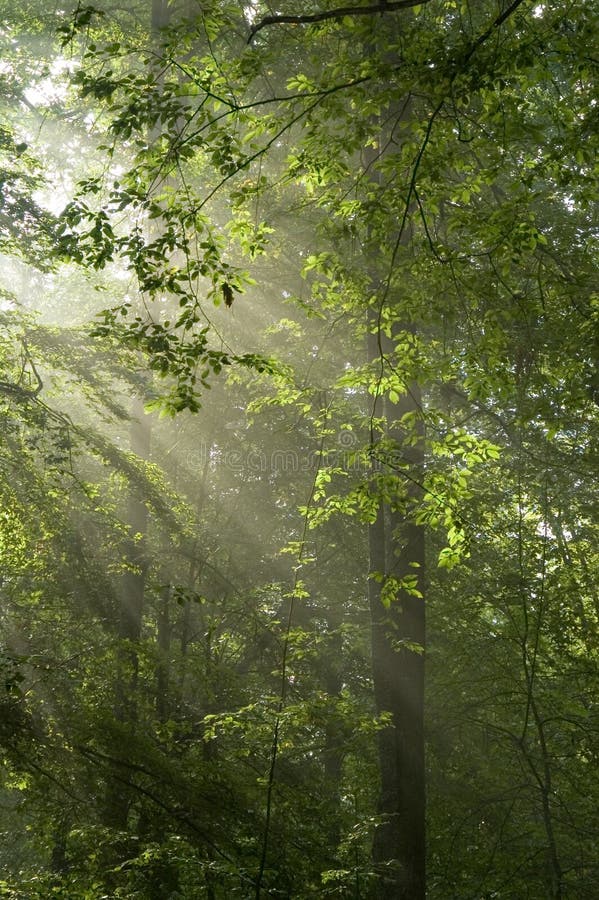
pixel 396 546
